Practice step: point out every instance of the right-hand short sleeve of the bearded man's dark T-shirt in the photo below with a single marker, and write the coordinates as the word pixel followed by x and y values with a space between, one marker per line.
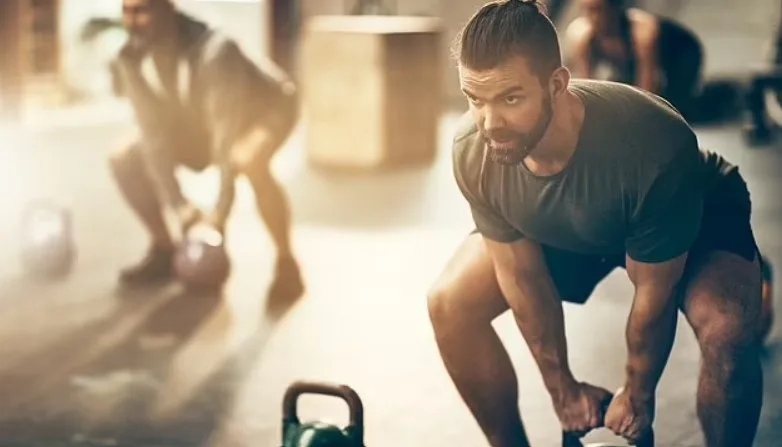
pixel 667 217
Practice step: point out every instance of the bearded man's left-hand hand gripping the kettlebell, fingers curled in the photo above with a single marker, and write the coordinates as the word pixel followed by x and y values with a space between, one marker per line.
pixel 581 408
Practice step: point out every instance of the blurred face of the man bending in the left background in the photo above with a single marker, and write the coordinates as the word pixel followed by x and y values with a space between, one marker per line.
pixel 146 20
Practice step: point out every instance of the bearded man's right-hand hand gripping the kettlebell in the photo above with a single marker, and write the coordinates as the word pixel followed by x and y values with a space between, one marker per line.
pixel 630 416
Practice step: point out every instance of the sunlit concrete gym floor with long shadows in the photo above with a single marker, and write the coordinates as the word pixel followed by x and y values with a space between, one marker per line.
pixel 85 364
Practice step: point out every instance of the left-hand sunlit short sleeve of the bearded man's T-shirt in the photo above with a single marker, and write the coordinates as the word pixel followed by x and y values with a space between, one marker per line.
pixel 488 222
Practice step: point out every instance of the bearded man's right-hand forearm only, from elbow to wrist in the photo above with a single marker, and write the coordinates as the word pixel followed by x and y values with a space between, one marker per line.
pixel 651 328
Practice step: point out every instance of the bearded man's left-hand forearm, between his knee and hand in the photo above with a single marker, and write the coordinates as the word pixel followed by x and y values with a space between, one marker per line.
pixel 538 312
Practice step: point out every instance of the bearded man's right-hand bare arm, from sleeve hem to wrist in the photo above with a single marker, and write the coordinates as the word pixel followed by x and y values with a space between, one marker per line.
pixel 651 325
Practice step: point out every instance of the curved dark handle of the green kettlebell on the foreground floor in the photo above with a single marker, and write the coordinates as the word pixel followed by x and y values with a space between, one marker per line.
pixel 344 392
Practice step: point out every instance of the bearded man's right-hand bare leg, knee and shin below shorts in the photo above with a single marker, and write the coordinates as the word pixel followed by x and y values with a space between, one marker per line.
pixel 722 304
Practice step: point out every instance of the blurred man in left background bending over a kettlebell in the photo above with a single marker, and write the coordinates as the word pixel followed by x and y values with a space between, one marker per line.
pixel 198 102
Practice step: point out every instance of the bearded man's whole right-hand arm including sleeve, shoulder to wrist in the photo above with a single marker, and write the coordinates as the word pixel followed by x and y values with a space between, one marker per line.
pixel 664 226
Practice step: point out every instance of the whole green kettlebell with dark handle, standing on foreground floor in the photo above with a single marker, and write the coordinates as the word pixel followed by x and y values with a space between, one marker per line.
pixel 320 434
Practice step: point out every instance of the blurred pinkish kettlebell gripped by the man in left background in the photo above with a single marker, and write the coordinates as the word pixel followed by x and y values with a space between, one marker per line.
pixel 201 260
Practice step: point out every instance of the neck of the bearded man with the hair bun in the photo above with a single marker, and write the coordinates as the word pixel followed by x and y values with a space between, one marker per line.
pixel 561 138
